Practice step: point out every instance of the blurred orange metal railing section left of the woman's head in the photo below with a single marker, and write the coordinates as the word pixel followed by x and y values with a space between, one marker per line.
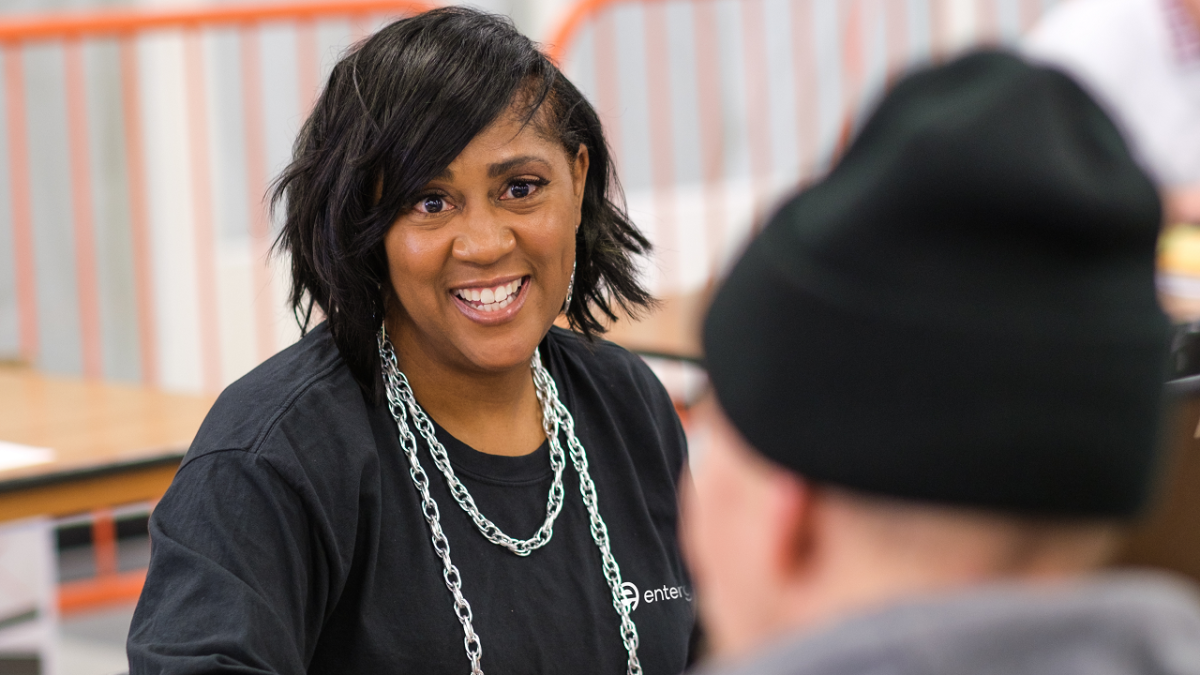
pixel 71 34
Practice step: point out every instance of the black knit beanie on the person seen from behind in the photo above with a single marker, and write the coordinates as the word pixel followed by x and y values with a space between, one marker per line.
pixel 964 310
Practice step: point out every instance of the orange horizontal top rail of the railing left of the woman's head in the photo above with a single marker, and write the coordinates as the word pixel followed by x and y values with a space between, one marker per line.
pixel 49 27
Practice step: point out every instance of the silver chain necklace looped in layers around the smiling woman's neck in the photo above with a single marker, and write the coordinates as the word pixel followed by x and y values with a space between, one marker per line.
pixel 555 419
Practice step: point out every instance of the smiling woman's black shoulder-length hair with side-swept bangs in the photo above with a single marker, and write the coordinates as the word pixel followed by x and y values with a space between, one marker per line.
pixel 399 107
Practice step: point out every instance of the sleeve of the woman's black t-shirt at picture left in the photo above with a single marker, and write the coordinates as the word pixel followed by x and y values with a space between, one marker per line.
pixel 236 577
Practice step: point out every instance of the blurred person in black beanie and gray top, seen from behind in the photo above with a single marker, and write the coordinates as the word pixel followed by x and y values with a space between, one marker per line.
pixel 938 383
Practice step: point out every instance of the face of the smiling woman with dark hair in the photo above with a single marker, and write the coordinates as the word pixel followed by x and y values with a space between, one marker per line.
pixel 482 261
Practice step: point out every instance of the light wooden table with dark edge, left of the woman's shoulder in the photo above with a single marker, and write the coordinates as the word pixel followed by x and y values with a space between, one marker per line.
pixel 113 444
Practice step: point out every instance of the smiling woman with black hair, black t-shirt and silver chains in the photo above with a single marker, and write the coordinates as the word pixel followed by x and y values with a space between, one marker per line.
pixel 436 479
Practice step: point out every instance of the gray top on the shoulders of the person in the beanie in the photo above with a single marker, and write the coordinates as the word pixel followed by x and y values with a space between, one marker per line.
pixel 1121 624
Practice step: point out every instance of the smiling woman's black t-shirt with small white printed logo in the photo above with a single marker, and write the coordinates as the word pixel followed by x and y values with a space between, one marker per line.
pixel 292 539
